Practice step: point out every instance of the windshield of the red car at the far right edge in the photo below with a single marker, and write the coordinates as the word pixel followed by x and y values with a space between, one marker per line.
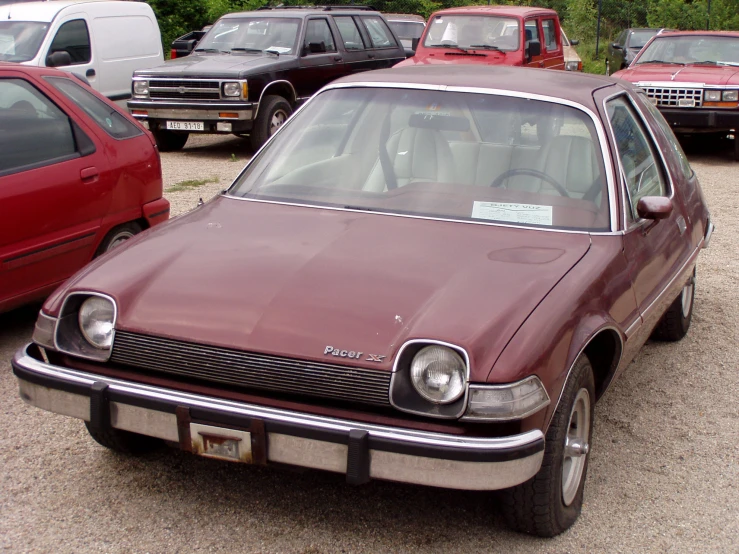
pixel 695 49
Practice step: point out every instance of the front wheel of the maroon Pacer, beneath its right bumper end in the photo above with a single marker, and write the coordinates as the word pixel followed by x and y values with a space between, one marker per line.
pixel 551 501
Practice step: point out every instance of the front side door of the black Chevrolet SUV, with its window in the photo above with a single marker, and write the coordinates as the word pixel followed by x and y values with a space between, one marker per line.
pixel 320 60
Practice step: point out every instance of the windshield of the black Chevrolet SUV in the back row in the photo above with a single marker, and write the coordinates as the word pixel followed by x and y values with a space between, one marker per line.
pixel 251 34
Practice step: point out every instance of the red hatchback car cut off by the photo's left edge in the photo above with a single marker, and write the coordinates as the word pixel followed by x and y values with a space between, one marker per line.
pixel 77 177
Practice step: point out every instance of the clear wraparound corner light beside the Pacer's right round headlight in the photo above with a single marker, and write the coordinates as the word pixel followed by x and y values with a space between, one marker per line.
pixel 506 402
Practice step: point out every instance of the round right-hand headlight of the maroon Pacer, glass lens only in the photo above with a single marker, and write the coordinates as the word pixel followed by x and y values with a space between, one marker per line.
pixel 438 374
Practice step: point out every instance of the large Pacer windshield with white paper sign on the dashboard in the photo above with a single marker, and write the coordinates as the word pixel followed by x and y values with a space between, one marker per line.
pixel 448 155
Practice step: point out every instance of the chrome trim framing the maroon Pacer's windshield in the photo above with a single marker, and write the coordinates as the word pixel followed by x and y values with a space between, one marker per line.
pixel 610 178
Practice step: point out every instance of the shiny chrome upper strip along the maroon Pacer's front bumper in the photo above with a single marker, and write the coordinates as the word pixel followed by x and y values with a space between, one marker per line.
pixel 278 415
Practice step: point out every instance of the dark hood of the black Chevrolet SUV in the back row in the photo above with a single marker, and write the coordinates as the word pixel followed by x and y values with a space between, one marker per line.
pixel 213 65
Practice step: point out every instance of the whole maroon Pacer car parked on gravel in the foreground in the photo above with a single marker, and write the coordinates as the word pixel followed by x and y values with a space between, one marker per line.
pixel 428 275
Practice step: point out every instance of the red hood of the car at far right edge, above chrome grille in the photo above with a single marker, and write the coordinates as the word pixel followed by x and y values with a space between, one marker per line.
pixel 703 74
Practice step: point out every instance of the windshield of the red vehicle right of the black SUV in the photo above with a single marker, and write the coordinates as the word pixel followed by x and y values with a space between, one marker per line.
pixel 466 31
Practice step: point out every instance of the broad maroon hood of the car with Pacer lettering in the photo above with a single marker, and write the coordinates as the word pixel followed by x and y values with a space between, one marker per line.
pixel 292 280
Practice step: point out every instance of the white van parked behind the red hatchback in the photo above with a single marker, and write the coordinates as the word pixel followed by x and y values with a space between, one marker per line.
pixel 101 40
